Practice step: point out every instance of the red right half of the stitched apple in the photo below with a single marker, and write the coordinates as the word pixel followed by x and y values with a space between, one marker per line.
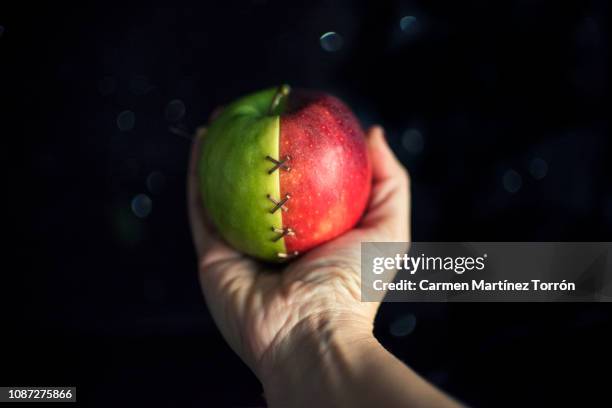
pixel 330 175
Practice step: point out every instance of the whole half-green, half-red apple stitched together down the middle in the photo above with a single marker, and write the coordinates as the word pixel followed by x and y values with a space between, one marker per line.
pixel 283 171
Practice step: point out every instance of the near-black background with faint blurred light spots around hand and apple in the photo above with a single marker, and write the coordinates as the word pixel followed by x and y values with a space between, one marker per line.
pixel 496 108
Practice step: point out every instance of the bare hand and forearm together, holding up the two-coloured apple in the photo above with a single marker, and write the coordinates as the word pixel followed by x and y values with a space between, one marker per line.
pixel 302 328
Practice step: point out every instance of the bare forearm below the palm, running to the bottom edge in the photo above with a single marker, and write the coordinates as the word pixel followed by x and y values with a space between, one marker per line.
pixel 347 369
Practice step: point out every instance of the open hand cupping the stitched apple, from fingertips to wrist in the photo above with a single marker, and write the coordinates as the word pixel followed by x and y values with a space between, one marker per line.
pixel 266 312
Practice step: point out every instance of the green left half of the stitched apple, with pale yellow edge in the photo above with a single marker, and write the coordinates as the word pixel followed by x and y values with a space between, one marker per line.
pixel 234 179
